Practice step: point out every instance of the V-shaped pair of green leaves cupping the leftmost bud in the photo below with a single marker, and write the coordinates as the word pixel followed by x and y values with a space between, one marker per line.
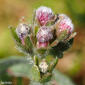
pixel 27 48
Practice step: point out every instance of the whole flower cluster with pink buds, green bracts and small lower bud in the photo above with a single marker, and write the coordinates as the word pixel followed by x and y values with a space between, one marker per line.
pixel 50 35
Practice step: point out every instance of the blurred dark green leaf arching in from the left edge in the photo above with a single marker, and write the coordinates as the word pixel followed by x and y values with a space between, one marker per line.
pixel 6 63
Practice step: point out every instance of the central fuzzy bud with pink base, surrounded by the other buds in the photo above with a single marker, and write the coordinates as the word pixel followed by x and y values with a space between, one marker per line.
pixel 44 35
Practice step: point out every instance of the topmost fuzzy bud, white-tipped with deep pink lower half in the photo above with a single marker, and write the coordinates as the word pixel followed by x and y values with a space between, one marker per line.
pixel 43 15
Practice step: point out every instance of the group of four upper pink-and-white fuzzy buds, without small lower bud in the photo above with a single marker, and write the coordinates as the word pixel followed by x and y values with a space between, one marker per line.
pixel 62 27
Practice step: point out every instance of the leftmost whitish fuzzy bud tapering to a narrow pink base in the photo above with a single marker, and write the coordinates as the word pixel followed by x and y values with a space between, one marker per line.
pixel 22 31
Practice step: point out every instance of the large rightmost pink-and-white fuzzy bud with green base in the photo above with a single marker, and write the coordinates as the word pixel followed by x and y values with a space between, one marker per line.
pixel 64 27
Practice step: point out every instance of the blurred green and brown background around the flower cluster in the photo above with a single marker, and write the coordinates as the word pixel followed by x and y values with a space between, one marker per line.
pixel 73 62
